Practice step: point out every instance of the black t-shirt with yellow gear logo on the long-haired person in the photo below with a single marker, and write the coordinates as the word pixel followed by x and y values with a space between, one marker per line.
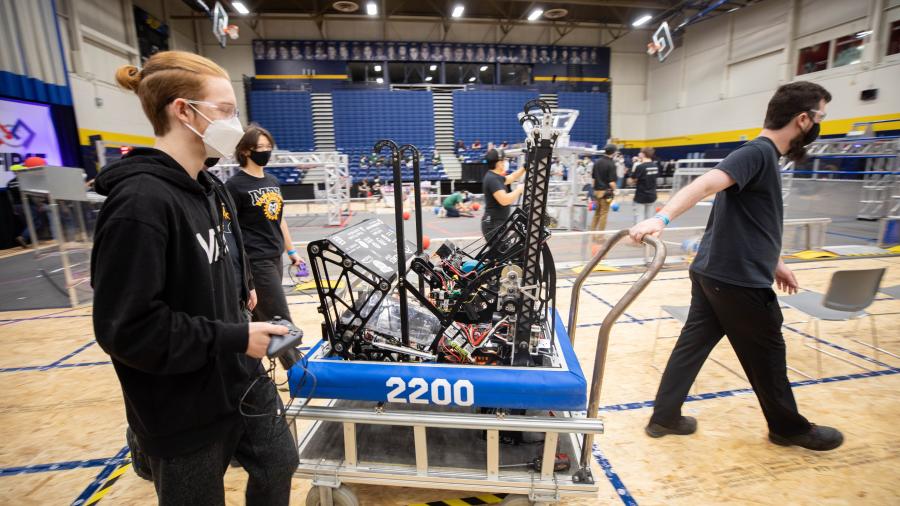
pixel 259 209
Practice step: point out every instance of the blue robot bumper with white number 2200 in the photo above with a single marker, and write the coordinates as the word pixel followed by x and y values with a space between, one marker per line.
pixel 545 388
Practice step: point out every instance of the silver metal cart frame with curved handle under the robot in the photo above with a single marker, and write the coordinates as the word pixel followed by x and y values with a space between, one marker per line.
pixel 540 486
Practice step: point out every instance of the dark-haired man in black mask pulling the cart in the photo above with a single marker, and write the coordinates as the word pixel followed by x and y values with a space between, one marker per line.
pixel 732 275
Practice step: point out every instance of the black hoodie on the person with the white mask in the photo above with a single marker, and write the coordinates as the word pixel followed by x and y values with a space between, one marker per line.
pixel 167 302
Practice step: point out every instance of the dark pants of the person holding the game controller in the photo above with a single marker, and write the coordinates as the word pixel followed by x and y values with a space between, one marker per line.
pixel 264 447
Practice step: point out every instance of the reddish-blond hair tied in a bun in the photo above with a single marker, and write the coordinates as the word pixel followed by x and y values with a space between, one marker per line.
pixel 167 75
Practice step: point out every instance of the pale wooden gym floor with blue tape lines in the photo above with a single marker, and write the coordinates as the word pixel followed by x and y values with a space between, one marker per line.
pixel 62 419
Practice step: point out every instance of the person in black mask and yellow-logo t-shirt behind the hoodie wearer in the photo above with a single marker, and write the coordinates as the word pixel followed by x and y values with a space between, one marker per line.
pixel 257 196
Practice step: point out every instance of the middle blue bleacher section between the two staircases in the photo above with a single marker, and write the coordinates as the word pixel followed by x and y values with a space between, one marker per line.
pixel 361 118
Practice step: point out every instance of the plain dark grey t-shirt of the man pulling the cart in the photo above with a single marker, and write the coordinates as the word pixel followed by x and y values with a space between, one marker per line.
pixel 742 242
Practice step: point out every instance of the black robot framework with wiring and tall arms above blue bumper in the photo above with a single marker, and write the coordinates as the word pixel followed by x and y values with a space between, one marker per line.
pixel 486 303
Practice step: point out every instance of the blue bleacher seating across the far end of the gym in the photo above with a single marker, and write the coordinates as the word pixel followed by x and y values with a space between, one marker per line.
pixel 362 117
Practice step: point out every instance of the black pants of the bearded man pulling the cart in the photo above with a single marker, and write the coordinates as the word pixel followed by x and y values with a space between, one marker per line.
pixel 751 318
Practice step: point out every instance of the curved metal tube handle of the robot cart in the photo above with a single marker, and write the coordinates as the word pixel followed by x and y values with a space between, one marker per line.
pixel 659 257
